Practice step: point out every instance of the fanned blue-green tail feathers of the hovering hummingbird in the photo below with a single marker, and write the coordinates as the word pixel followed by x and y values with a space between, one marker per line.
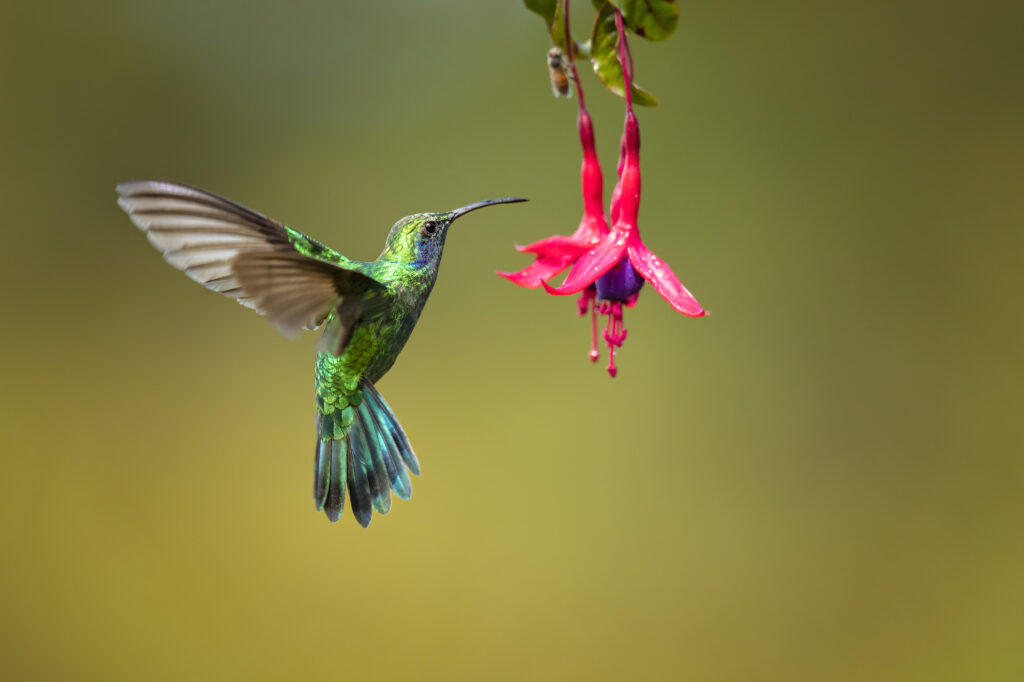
pixel 364 448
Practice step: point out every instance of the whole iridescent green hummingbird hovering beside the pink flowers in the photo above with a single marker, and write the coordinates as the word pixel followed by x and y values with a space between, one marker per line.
pixel 367 310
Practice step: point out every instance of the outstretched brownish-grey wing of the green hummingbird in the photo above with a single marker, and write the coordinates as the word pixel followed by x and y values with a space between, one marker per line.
pixel 294 281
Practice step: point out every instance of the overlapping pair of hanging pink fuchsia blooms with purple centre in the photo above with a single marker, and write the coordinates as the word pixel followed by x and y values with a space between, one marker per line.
pixel 610 267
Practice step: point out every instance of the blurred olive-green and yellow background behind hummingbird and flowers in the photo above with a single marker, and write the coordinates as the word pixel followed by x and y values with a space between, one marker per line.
pixel 820 482
